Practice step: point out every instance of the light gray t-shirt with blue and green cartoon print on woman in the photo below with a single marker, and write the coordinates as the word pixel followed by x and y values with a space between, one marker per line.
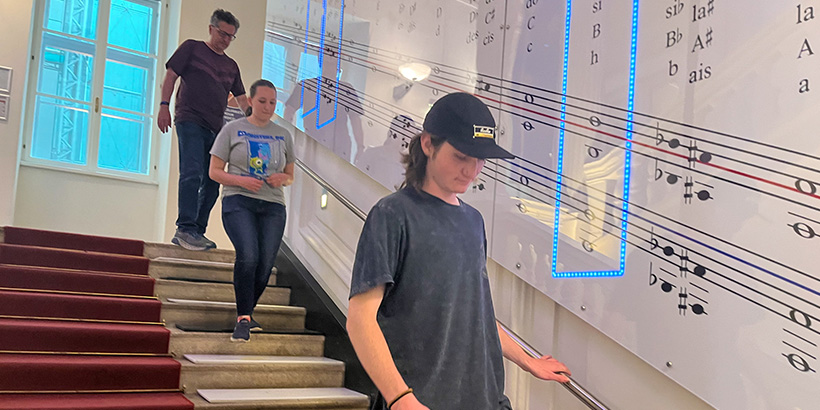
pixel 254 151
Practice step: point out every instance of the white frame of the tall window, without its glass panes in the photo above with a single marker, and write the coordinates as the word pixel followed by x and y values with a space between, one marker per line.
pixel 96 112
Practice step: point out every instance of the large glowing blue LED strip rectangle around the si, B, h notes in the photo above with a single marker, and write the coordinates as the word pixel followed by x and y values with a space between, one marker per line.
pixel 627 155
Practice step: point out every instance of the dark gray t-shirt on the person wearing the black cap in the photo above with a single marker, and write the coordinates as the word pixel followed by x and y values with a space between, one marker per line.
pixel 437 314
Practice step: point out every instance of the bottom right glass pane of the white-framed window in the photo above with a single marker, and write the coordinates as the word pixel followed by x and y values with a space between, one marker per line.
pixel 124 142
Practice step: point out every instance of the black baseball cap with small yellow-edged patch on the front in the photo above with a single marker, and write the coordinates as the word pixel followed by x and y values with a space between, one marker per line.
pixel 467 124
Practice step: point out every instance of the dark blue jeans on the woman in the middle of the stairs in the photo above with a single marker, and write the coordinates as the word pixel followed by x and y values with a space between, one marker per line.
pixel 255 228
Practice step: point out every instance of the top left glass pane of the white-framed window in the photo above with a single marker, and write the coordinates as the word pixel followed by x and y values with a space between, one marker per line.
pixel 75 17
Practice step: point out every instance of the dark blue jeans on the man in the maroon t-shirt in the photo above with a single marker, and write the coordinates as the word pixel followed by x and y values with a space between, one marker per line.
pixel 197 191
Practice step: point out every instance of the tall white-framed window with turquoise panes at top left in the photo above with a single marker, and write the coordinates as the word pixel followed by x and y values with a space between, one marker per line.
pixel 93 87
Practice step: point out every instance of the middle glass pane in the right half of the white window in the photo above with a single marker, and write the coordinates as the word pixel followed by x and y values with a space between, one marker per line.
pixel 125 86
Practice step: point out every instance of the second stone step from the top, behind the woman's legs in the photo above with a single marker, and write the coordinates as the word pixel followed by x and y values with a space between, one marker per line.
pixel 164 267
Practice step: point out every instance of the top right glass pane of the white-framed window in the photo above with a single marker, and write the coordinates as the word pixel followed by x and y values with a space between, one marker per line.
pixel 131 26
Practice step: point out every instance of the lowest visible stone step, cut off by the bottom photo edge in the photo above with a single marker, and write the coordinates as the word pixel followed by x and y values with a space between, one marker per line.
pixel 329 398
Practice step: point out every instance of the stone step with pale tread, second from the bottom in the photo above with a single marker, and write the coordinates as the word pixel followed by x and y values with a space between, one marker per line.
pixel 236 372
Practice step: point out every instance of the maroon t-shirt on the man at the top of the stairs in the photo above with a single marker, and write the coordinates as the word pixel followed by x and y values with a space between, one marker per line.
pixel 205 80
